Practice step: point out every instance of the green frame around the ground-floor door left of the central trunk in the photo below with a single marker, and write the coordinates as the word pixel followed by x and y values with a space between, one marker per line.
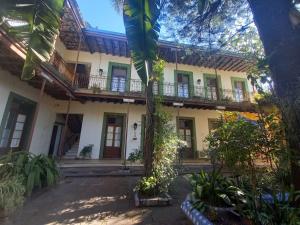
pixel 103 133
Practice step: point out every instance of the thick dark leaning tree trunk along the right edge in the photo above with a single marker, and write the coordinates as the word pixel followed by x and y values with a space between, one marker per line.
pixel 281 41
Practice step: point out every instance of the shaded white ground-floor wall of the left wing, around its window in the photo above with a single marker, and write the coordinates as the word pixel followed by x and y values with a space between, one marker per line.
pixel 46 116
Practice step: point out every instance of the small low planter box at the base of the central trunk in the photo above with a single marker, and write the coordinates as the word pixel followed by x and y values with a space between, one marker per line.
pixel 163 200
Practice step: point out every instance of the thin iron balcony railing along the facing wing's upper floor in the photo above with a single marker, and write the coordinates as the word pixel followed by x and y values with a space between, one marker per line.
pixel 121 86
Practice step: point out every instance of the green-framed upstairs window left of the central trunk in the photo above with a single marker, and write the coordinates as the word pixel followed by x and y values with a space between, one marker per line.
pixel 118 78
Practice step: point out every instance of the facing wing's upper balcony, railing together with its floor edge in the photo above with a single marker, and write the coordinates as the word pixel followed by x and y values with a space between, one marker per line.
pixel 197 96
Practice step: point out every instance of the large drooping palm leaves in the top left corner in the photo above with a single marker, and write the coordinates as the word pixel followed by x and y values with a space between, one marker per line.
pixel 35 22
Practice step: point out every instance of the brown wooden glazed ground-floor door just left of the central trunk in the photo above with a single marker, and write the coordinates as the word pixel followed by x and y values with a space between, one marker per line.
pixel 113 137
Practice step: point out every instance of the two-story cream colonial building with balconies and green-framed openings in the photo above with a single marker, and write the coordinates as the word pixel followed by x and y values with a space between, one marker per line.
pixel 90 93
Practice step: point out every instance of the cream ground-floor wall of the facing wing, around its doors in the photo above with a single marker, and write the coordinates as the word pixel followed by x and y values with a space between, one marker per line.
pixel 93 114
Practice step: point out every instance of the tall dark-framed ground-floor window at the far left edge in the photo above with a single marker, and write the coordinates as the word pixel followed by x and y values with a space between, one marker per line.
pixel 16 123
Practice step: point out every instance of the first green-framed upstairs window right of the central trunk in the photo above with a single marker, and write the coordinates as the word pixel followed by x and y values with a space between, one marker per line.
pixel 184 84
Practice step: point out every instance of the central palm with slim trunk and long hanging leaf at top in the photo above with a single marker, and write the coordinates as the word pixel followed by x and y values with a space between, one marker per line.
pixel 142 31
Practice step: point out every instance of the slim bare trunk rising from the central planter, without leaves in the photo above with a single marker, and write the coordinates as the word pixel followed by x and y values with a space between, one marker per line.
pixel 149 136
